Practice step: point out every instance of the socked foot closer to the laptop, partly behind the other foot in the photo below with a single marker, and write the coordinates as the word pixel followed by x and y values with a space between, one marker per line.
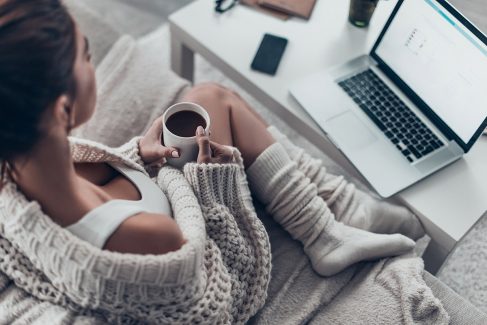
pixel 367 213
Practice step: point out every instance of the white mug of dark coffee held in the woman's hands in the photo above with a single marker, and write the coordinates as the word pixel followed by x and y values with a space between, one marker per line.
pixel 180 122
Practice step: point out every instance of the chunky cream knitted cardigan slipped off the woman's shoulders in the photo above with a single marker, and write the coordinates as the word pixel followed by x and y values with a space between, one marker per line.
pixel 220 276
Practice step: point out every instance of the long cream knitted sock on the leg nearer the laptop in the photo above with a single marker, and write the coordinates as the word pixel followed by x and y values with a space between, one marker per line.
pixel 350 205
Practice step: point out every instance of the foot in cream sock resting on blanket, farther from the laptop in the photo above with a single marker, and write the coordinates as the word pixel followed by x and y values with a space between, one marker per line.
pixel 341 246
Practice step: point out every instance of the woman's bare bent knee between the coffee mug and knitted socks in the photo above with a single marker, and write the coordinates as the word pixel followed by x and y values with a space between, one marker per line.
pixel 233 122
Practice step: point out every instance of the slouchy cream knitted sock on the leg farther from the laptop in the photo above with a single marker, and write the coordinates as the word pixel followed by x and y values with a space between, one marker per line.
pixel 293 201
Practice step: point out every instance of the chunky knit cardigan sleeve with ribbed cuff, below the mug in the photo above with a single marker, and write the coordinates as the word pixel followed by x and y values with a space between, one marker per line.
pixel 231 222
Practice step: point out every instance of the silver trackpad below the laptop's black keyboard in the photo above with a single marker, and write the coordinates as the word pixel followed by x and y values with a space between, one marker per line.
pixel 349 131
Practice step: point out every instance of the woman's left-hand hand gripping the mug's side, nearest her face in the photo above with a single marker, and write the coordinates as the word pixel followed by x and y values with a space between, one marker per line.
pixel 151 149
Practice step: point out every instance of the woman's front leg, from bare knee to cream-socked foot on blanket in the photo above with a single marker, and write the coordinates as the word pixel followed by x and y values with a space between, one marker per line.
pixel 331 246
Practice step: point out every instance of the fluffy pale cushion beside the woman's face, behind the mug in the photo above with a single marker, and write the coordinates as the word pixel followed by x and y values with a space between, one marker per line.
pixel 135 85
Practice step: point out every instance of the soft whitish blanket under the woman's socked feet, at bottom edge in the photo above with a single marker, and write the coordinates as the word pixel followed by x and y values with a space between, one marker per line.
pixel 390 291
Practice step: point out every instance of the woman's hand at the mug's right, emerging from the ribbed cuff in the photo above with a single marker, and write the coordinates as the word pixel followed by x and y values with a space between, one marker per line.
pixel 211 152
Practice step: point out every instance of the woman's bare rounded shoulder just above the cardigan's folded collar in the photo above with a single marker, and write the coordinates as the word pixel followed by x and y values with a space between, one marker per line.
pixel 146 233
